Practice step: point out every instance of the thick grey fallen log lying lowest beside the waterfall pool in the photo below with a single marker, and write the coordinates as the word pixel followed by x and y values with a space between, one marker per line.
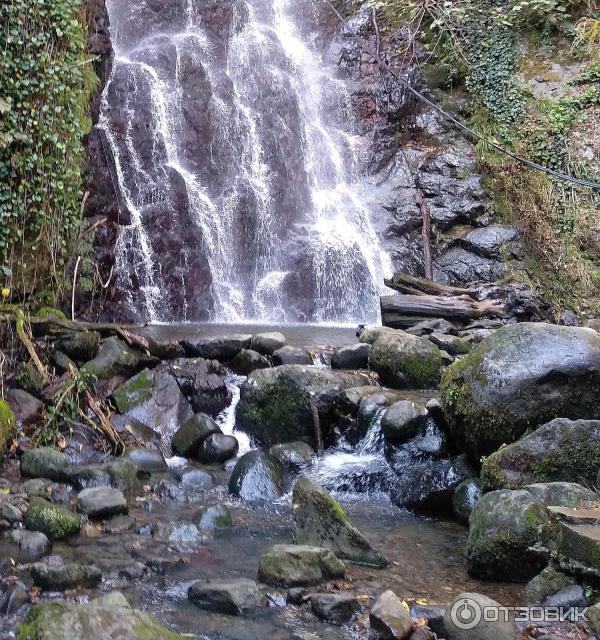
pixel 397 311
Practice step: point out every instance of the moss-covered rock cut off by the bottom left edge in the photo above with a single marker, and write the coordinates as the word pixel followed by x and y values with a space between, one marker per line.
pixel 110 617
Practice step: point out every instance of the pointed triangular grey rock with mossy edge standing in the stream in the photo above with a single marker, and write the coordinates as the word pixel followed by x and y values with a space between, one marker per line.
pixel 320 521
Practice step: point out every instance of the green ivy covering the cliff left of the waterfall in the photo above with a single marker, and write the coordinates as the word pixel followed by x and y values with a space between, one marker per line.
pixel 45 85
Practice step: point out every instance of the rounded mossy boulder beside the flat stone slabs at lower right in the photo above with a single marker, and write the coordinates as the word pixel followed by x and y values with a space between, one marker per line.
pixel 505 524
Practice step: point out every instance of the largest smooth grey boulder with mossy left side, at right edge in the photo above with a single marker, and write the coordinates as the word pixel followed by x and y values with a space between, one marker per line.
pixel 518 378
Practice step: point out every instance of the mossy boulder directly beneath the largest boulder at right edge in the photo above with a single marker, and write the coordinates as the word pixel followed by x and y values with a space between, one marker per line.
pixel 562 450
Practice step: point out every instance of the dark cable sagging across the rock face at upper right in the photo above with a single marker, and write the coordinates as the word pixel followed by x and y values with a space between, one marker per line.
pixel 559 175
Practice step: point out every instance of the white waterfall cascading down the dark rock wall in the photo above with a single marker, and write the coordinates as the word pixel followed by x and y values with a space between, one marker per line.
pixel 236 160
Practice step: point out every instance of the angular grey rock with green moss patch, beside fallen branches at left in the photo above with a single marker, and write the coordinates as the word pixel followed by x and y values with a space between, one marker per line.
pixel 153 398
